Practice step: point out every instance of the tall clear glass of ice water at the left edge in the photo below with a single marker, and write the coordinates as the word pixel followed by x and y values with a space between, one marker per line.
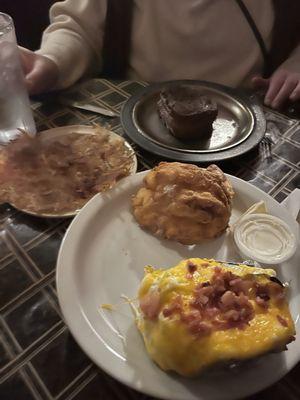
pixel 15 112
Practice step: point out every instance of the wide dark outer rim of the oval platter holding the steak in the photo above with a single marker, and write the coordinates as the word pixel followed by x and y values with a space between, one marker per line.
pixel 257 133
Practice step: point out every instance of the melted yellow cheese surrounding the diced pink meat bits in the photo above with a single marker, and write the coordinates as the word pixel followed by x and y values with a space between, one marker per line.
pixel 173 347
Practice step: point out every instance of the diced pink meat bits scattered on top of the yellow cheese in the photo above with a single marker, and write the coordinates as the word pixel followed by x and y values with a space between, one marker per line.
pixel 221 303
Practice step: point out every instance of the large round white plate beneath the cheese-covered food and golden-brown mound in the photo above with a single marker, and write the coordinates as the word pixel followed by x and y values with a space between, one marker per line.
pixel 102 257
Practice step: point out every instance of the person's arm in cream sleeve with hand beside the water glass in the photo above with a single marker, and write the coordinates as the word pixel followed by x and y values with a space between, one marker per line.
pixel 71 45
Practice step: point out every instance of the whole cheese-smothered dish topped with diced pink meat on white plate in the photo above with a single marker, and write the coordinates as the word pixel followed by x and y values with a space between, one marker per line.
pixel 202 312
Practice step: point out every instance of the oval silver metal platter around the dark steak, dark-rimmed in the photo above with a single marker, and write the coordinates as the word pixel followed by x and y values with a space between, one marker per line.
pixel 239 127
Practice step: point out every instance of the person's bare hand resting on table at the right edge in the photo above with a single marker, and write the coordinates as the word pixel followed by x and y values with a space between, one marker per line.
pixel 282 86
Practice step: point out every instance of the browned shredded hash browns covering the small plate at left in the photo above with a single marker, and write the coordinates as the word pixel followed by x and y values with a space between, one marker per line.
pixel 61 174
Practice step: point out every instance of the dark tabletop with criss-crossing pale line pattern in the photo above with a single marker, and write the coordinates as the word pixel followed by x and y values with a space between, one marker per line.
pixel 38 357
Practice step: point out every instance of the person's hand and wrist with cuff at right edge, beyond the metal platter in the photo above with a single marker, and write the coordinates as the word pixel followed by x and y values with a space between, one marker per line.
pixel 284 84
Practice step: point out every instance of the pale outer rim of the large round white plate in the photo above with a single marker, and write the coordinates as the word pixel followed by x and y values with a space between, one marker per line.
pixel 68 309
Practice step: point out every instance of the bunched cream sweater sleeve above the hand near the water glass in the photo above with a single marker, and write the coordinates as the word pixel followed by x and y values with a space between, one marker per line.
pixel 74 38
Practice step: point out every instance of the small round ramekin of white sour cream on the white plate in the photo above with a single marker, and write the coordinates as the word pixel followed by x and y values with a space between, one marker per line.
pixel 264 238
